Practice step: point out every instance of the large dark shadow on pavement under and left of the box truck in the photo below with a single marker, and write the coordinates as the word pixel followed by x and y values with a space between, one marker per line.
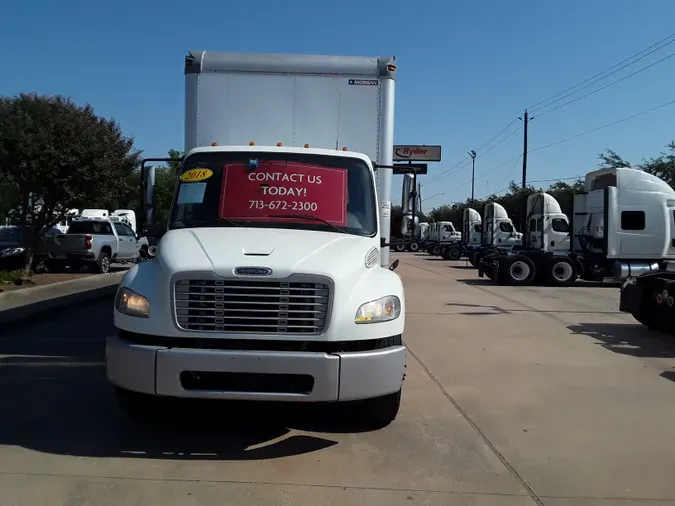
pixel 56 399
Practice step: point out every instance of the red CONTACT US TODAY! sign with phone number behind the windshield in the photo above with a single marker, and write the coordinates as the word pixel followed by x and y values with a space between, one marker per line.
pixel 283 189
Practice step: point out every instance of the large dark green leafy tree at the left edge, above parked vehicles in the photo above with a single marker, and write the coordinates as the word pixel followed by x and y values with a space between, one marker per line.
pixel 55 156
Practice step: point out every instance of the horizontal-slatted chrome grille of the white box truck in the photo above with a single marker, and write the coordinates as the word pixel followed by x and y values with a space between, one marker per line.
pixel 266 307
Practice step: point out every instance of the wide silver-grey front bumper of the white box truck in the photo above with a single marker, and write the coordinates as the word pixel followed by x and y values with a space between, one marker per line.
pixel 176 370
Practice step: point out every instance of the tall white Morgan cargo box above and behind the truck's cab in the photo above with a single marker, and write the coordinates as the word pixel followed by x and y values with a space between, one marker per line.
pixel 329 102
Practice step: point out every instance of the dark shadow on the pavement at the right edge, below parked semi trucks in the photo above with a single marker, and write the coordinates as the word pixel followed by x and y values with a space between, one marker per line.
pixel 628 339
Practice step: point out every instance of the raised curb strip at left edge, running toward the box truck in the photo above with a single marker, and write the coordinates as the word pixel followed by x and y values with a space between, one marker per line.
pixel 19 305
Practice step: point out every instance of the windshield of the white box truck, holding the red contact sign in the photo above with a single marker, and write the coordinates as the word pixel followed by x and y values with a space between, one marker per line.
pixel 275 190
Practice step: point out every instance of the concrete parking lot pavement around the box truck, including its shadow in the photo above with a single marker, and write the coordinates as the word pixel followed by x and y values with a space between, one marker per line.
pixel 513 396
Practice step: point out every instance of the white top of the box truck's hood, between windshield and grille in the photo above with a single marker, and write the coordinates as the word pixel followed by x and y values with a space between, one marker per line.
pixel 285 251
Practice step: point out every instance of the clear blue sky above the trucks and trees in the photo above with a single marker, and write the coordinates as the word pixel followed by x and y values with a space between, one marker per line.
pixel 465 69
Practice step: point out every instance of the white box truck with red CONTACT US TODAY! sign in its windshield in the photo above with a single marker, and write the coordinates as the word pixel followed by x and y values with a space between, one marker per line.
pixel 272 281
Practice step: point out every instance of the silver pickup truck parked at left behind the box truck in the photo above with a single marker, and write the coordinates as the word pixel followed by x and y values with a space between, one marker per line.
pixel 94 243
